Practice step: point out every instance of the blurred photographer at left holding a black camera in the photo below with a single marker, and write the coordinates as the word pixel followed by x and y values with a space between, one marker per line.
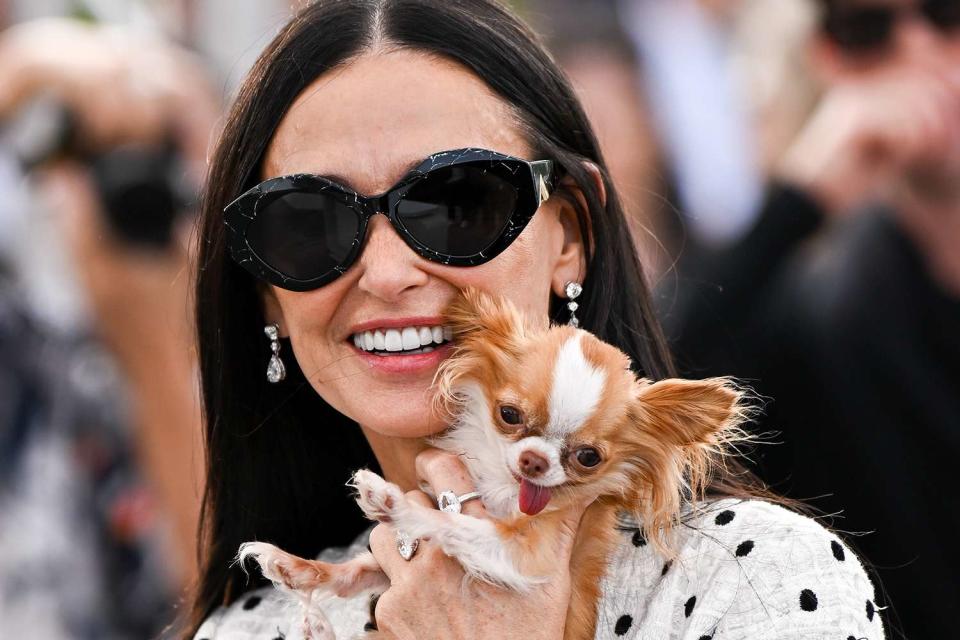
pixel 99 423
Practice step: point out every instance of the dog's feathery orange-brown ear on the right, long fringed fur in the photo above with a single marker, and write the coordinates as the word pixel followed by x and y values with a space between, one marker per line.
pixel 680 430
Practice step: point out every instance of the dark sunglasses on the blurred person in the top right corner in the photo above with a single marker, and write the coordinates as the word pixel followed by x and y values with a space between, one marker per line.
pixel 869 29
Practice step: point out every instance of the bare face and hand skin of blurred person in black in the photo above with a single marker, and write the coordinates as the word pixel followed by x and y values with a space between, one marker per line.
pixel 888 129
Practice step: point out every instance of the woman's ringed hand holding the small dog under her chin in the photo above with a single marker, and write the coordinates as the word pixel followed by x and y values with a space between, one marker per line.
pixel 428 596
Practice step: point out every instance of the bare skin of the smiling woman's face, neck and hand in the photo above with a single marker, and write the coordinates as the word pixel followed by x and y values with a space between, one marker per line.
pixel 367 122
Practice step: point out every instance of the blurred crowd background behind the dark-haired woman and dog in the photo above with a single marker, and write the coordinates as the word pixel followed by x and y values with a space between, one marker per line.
pixel 791 169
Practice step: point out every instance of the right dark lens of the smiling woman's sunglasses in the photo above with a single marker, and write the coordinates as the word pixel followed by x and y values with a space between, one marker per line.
pixel 458 211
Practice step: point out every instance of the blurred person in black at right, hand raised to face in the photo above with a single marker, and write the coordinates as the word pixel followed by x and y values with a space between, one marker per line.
pixel 843 300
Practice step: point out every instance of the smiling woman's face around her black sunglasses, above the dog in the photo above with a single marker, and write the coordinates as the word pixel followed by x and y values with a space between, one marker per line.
pixel 368 123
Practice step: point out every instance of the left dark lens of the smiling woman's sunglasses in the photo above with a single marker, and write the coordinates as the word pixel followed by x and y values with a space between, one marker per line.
pixel 303 235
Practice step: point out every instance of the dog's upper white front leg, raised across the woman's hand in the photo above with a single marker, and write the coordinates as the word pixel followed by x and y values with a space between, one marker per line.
pixel 474 542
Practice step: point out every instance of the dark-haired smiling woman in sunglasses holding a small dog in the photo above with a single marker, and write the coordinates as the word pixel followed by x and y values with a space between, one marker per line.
pixel 361 92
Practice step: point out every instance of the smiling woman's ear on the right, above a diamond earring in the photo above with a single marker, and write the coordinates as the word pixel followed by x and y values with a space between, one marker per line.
pixel 571 265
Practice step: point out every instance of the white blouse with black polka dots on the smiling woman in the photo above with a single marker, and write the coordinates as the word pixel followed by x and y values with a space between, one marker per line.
pixel 745 570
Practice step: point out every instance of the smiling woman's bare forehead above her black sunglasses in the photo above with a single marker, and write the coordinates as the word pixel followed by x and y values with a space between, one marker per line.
pixel 371 120
